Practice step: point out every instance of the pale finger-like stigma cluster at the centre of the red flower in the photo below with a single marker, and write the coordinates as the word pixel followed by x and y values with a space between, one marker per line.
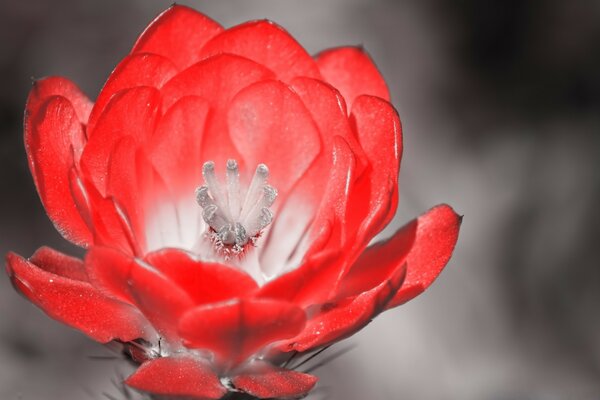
pixel 235 217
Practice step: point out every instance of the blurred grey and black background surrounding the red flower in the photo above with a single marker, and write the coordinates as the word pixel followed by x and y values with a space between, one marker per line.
pixel 500 103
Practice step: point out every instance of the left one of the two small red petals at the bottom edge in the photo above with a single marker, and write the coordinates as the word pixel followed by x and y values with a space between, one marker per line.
pixel 182 376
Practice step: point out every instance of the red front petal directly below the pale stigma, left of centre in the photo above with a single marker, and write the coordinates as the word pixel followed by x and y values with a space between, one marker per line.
pixel 205 282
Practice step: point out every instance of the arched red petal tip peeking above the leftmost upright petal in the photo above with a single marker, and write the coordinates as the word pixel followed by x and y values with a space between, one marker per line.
pixel 51 86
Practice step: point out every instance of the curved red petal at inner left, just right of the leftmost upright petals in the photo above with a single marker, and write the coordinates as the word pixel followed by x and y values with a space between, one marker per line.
pixel 131 112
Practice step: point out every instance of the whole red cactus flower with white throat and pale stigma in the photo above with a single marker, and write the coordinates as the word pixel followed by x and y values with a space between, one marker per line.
pixel 225 186
